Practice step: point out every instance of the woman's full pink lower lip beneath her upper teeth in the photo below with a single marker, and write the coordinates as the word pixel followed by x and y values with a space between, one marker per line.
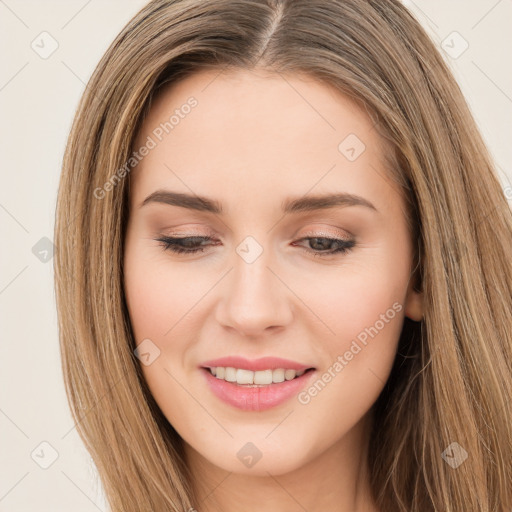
pixel 256 398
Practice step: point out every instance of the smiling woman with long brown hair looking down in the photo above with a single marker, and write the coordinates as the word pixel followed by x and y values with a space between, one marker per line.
pixel 283 266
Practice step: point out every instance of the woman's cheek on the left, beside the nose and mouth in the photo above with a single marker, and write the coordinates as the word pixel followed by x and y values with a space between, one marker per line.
pixel 160 299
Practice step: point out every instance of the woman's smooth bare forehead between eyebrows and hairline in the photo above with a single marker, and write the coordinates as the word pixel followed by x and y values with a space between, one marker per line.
pixel 258 131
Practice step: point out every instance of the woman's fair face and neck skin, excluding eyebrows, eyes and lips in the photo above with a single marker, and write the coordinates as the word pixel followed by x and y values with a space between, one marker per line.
pixel 253 140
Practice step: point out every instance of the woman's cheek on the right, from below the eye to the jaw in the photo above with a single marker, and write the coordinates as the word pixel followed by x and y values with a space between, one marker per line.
pixel 362 315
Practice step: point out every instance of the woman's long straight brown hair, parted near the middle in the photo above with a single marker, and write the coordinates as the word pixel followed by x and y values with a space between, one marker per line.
pixel 452 379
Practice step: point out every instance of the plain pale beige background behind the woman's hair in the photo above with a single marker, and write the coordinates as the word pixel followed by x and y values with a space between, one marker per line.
pixel 38 97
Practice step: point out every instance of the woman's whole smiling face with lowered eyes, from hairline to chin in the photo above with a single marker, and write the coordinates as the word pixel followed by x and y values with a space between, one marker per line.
pixel 265 153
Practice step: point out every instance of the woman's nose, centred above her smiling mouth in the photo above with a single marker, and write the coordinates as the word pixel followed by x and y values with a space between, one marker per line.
pixel 255 300
